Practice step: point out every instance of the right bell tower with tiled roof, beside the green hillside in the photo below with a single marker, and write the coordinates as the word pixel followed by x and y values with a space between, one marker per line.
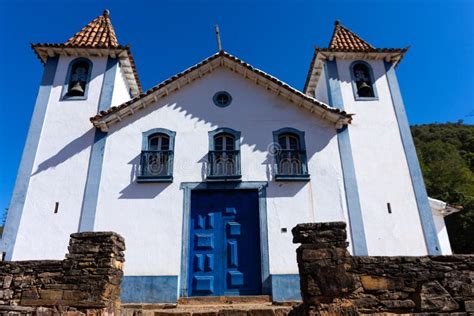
pixel 387 205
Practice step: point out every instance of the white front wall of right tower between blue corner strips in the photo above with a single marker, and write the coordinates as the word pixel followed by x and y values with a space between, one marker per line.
pixel 381 170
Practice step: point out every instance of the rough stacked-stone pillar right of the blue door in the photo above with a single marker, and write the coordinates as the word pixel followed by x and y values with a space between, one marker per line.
pixel 323 262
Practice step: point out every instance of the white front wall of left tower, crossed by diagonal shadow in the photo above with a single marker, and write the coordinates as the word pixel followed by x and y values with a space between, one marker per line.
pixel 59 171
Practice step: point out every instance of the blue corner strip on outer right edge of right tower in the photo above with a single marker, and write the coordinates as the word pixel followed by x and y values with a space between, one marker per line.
pixel 426 217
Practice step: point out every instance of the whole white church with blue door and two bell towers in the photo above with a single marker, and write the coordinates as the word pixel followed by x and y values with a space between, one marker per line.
pixel 205 174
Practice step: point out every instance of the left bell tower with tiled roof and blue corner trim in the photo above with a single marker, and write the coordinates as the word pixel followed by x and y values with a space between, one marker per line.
pixel 60 165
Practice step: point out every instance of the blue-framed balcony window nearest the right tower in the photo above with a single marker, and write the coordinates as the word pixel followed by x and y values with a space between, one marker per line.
pixel 290 155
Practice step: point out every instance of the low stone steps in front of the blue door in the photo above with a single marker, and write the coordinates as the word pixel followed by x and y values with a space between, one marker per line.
pixel 261 305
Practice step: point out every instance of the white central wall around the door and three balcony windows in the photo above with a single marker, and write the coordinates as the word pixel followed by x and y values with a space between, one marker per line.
pixel 149 216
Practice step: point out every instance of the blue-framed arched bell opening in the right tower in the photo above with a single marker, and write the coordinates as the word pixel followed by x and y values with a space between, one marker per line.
pixel 363 83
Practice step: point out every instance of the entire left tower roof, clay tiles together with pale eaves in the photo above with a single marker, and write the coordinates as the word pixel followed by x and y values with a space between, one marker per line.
pixel 97 38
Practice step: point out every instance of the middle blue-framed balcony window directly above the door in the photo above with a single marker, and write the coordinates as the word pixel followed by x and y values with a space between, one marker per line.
pixel 224 155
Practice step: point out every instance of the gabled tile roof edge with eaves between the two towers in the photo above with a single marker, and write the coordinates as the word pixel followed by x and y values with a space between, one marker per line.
pixel 221 59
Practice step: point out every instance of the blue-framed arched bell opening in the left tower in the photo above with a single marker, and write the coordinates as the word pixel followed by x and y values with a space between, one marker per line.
pixel 77 79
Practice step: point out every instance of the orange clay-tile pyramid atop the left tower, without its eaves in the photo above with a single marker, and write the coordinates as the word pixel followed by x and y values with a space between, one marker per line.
pixel 98 33
